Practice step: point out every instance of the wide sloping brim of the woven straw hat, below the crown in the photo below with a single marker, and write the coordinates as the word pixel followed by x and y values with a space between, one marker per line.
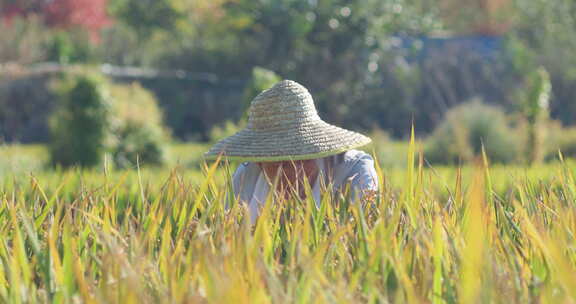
pixel 311 141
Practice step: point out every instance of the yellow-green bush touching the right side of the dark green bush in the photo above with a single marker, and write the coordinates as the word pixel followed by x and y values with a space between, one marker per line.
pixel 139 132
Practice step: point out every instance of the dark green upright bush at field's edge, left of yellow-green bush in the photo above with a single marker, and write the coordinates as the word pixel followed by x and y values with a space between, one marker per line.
pixel 79 127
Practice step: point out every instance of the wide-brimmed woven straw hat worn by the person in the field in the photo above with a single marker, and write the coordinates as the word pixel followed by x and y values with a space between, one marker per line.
pixel 283 125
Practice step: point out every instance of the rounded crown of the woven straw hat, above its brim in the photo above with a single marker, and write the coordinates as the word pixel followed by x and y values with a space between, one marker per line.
pixel 286 105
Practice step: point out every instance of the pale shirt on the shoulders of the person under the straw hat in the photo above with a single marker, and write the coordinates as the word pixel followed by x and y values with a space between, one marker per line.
pixel 355 167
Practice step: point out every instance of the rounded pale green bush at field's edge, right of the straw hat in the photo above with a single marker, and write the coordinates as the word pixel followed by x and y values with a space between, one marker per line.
pixel 465 128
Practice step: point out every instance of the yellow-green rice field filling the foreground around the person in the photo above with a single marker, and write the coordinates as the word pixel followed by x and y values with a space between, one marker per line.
pixel 477 234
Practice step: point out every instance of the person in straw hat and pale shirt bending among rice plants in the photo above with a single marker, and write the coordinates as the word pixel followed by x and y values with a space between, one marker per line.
pixel 286 138
